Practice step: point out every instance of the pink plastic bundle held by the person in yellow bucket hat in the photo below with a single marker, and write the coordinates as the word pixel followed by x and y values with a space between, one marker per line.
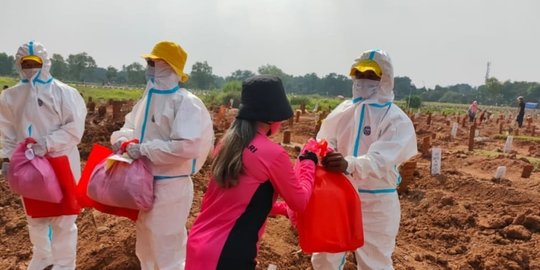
pixel 123 185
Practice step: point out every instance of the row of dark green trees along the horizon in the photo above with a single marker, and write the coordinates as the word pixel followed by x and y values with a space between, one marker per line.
pixel 82 67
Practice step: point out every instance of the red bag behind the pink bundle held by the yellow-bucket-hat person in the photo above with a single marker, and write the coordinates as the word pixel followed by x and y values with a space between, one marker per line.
pixel 98 154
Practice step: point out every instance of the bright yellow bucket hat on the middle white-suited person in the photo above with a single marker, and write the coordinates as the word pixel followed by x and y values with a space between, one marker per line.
pixel 171 53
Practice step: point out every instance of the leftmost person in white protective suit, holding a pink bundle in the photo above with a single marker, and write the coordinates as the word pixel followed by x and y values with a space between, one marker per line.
pixel 53 113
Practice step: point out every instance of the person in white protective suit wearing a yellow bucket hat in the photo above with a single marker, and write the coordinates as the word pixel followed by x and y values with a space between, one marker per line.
pixel 176 134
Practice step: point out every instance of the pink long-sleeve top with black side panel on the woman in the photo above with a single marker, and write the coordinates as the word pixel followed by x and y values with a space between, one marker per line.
pixel 231 221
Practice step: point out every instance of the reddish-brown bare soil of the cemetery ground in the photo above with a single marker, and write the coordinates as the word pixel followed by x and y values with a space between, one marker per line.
pixel 462 218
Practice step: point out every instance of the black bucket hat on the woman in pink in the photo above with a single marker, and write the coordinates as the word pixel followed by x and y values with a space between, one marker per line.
pixel 264 99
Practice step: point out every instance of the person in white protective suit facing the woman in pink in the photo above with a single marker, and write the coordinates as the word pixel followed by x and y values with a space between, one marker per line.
pixel 372 137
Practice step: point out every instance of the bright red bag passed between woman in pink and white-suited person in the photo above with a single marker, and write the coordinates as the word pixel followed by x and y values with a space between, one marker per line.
pixel 332 220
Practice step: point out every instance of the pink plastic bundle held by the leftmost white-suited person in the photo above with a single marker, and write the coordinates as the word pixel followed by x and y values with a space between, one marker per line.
pixel 32 176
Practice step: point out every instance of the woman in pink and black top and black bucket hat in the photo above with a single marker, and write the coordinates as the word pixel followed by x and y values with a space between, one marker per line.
pixel 249 172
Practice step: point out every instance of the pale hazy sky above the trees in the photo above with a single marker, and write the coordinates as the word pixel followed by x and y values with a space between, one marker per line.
pixel 433 42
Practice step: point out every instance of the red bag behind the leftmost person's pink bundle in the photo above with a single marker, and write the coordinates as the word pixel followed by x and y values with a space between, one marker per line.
pixel 68 205
